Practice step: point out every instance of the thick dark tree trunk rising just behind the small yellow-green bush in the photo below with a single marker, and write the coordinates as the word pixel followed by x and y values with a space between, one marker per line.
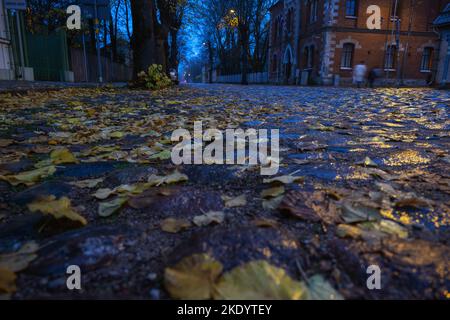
pixel 144 40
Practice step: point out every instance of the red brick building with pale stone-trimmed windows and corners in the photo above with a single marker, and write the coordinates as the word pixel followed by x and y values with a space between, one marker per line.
pixel 331 36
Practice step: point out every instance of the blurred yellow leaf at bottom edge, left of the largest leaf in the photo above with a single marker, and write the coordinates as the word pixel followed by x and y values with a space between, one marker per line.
pixel 193 277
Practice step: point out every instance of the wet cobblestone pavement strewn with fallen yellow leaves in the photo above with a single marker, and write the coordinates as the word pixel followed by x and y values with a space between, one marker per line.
pixel 86 179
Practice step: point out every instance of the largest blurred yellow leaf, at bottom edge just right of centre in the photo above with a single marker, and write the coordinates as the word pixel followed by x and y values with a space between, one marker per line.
pixel 258 280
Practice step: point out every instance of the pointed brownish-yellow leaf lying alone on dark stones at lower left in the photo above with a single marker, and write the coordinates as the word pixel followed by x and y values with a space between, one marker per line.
pixel 57 208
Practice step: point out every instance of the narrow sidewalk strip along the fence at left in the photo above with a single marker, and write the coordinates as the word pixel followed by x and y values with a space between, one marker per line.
pixel 20 86
